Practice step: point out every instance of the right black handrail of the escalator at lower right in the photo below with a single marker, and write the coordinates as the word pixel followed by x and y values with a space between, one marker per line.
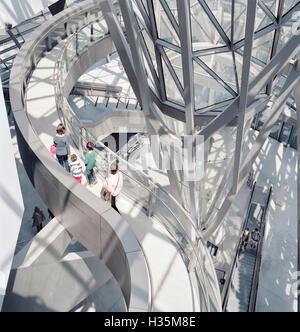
pixel 255 279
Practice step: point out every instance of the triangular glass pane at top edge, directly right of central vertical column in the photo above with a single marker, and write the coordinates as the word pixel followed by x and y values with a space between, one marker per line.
pixel 204 33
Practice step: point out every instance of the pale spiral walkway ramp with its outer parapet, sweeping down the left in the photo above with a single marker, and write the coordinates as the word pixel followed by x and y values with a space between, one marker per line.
pixel 141 253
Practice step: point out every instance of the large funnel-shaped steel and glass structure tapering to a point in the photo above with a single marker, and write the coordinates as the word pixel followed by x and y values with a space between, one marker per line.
pixel 212 65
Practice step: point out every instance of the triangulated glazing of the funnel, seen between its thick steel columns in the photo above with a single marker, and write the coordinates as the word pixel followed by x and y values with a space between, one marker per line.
pixel 217 29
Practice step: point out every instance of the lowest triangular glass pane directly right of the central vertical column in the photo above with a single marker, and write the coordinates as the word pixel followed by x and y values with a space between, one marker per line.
pixel 207 90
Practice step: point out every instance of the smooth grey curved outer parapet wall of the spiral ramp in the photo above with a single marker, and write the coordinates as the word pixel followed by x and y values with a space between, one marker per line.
pixel 98 227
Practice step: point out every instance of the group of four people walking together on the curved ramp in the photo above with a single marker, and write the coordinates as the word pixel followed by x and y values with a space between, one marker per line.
pixel 61 147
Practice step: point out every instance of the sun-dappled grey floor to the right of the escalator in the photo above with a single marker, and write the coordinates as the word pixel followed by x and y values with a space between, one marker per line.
pixel 279 257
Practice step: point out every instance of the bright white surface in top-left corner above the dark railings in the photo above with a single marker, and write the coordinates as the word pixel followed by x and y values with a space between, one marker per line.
pixel 16 11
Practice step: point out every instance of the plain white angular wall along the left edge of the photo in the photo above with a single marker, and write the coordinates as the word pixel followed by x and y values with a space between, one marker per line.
pixel 11 201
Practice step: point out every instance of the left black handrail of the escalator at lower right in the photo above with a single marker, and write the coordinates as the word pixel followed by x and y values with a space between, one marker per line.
pixel 235 260
